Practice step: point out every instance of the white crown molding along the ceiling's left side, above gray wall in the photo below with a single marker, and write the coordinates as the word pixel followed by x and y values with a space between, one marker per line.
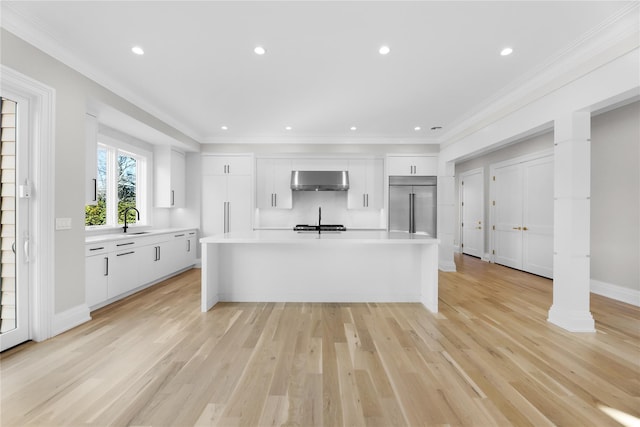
pixel 33 32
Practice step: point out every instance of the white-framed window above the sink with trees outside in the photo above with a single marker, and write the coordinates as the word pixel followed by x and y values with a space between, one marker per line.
pixel 121 185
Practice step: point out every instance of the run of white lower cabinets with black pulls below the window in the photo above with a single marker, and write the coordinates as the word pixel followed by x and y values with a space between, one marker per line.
pixel 114 270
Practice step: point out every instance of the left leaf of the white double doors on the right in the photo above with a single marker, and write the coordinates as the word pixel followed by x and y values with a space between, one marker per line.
pixel 507 212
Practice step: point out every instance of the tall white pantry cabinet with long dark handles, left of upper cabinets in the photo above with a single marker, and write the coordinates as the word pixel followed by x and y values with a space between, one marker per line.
pixel 226 193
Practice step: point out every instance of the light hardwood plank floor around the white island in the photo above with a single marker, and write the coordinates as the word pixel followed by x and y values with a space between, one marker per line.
pixel 488 358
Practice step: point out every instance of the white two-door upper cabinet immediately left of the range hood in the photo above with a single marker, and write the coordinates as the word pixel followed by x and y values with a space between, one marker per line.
pixel 273 184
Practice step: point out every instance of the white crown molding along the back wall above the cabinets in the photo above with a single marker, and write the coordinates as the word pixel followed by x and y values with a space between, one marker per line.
pixel 318 140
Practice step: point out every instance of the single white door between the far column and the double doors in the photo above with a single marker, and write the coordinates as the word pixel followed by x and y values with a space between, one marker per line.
pixel 471 190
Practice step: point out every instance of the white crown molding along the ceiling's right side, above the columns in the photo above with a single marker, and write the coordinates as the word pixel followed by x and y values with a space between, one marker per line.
pixel 613 38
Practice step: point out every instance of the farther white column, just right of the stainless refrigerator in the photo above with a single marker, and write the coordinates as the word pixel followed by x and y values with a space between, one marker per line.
pixel 446 215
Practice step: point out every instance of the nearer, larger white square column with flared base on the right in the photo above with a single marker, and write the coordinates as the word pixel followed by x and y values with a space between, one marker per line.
pixel 571 229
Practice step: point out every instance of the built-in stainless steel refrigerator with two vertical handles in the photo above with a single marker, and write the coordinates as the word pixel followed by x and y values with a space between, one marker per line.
pixel 412 204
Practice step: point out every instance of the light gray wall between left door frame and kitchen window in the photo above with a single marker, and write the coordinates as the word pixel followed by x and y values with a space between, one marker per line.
pixel 73 92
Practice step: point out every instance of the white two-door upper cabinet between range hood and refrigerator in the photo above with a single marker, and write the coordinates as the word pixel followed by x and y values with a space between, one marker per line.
pixel 366 184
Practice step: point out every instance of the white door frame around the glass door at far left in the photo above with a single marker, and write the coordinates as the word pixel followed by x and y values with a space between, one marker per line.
pixel 41 139
